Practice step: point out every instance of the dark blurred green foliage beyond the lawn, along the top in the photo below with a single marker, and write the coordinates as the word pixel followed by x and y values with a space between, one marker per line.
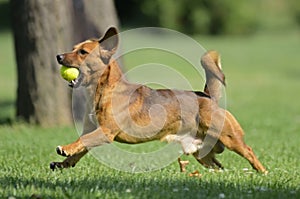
pixel 205 16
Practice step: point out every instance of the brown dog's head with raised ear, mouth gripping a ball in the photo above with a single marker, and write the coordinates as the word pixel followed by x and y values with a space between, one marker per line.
pixel 90 57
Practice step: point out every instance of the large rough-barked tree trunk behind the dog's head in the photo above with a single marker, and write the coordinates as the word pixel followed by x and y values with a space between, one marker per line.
pixel 42 29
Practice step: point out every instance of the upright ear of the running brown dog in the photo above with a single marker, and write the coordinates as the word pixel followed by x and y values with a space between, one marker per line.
pixel 109 44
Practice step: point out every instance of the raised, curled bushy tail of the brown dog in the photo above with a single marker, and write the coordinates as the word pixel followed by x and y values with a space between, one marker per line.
pixel 211 62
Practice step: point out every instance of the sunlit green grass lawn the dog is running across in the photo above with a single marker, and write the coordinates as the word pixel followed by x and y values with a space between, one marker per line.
pixel 262 74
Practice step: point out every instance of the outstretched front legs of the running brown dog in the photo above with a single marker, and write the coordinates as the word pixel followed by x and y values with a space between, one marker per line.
pixel 80 147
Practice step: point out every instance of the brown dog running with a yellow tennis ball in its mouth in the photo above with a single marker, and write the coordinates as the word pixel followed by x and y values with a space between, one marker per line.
pixel 132 113
